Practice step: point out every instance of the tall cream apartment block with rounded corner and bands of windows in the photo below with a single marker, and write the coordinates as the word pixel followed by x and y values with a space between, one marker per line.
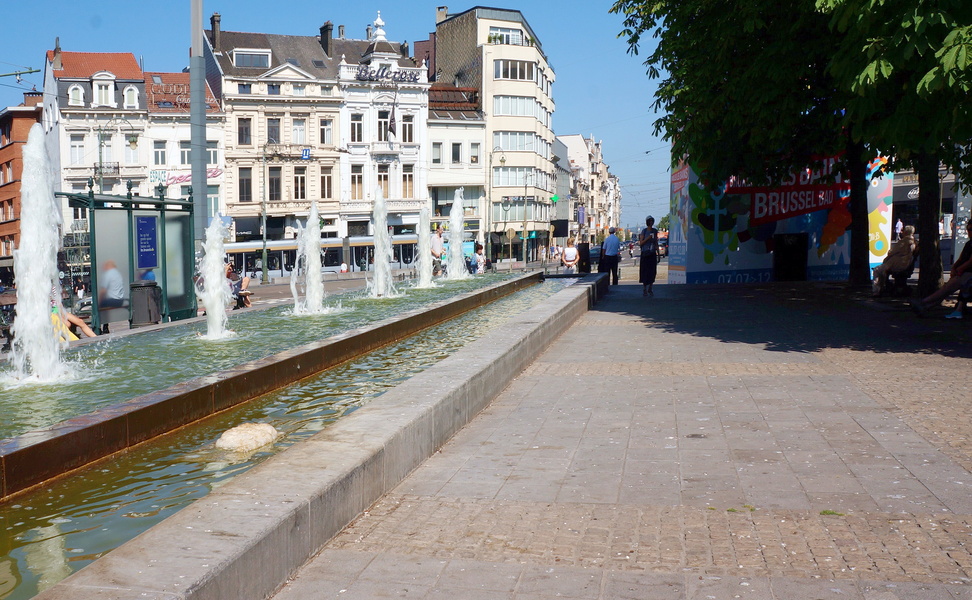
pixel 496 52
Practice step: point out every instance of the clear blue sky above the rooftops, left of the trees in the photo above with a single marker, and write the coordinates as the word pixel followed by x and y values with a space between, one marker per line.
pixel 600 90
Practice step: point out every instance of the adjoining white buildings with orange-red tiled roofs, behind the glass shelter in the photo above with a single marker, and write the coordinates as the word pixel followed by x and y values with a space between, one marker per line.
pixel 109 125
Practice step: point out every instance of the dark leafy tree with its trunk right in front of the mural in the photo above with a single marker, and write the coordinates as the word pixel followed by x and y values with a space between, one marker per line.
pixel 745 91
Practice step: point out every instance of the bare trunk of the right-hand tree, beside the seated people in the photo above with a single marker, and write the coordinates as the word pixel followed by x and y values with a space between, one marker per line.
pixel 929 208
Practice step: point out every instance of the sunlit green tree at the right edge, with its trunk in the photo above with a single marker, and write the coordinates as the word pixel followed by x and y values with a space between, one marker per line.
pixel 907 66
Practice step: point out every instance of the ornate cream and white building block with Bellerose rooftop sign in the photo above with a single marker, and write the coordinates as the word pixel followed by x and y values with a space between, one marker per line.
pixel 319 118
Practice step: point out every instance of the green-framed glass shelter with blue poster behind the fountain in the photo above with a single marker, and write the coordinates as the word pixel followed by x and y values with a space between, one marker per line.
pixel 141 256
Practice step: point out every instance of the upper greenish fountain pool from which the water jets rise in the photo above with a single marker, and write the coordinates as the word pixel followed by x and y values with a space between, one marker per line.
pixel 119 369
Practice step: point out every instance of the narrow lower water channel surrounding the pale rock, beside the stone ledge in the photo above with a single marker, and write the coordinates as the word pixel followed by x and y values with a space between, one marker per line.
pixel 47 534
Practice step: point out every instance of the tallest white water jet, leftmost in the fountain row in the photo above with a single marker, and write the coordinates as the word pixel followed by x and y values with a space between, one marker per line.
pixel 36 352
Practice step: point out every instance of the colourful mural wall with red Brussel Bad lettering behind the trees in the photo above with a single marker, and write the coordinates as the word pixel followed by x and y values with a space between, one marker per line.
pixel 730 232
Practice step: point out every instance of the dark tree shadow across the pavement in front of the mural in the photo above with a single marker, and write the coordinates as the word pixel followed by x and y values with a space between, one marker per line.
pixel 793 317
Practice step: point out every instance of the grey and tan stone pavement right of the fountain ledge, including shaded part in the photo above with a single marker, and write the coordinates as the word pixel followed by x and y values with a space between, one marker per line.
pixel 789 442
